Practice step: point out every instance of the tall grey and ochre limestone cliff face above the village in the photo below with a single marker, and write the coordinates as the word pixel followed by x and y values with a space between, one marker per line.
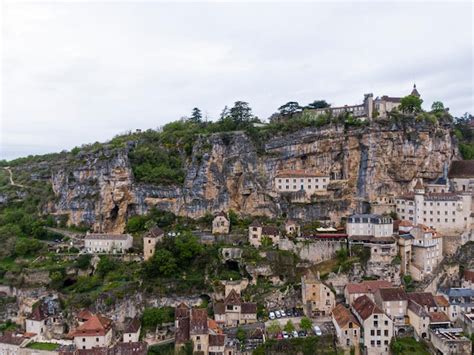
pixel 227 171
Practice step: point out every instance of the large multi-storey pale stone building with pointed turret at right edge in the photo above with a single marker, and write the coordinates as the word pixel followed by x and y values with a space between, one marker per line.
pixel 448 213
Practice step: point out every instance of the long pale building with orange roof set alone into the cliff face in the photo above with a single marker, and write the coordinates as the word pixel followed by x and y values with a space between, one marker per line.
pixel 300 180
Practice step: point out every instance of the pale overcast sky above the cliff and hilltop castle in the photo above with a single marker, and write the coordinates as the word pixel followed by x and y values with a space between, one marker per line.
pixel 75 73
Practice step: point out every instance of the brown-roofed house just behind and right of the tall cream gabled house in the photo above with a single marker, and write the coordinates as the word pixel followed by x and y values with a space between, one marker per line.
pixel 394 302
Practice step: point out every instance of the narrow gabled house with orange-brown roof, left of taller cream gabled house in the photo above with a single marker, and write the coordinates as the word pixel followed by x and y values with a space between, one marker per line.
pixel 347 327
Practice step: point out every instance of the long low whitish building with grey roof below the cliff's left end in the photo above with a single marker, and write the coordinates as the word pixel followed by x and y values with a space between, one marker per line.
pixel 107 243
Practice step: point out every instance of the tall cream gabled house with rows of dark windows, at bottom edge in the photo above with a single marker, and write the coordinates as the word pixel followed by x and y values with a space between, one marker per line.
pixel 377 326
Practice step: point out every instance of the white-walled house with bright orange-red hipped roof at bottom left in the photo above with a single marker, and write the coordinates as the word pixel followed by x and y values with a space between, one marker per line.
pixel 95 332
